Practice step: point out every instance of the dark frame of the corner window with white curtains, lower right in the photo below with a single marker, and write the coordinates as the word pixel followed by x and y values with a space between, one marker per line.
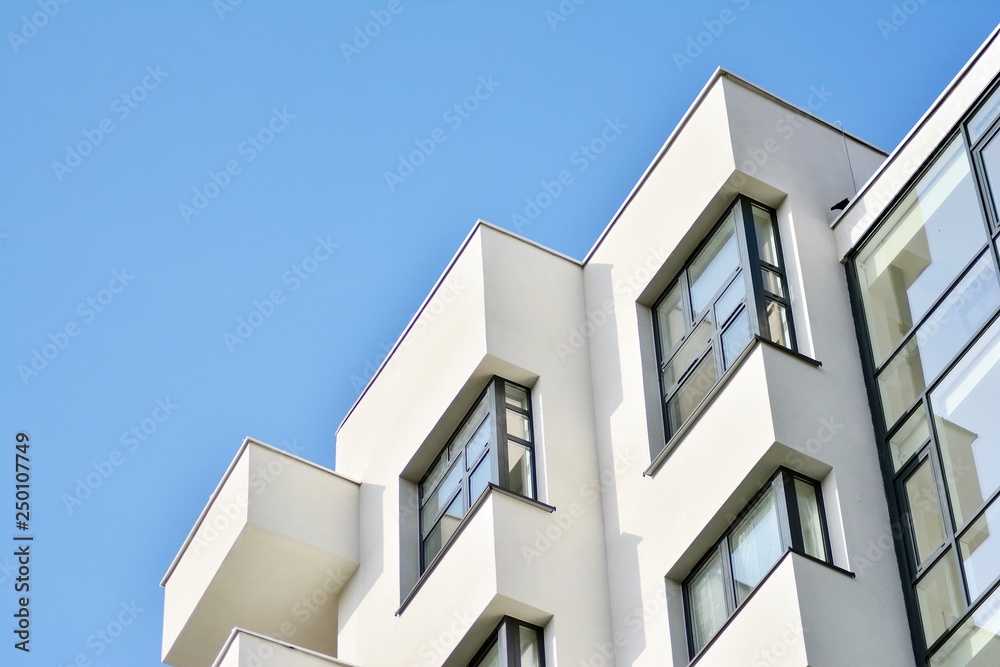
pixel 782 485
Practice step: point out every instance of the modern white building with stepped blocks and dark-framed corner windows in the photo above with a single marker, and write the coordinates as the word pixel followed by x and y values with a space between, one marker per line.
pixel 755 425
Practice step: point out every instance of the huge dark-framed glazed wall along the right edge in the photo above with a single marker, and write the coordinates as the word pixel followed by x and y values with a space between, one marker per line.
pixel 927 295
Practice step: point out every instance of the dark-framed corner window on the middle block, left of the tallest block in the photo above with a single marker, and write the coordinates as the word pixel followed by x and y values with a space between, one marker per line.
pixel 493 445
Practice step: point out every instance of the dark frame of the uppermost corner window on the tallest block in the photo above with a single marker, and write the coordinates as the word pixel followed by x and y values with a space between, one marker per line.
pixel 755 301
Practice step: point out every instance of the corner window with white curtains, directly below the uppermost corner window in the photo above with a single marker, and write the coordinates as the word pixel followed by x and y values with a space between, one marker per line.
pixel 786 514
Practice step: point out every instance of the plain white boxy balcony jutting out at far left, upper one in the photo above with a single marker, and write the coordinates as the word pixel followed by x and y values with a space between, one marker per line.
pixel 270 552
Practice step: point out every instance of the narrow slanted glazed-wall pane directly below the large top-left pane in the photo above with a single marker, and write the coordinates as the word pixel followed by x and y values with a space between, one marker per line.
pixel 957 319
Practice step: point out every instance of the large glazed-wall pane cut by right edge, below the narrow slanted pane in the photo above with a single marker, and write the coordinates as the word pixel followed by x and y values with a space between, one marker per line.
pixel 964 409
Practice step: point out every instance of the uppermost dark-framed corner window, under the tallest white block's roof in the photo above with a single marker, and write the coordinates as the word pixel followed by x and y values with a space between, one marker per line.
pixel 732 289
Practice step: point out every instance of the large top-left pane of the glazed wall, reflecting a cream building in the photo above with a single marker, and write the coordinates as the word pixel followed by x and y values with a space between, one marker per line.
pixel 920 249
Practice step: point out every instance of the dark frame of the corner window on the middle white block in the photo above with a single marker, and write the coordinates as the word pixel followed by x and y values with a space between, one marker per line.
pixel 499 474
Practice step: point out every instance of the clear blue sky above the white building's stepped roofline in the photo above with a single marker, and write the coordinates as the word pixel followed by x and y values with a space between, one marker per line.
pixel 216 217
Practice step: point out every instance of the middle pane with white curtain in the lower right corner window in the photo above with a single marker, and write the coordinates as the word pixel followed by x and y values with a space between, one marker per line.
pixel 756 545
